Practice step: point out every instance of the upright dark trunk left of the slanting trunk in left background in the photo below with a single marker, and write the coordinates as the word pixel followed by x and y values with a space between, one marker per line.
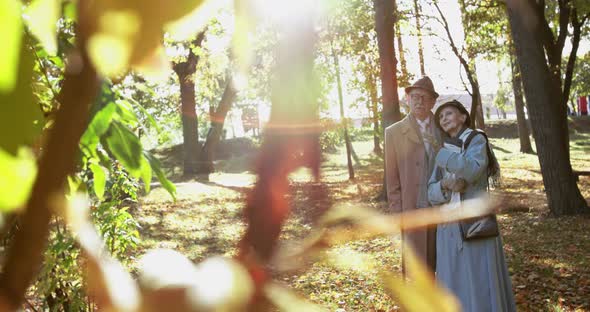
pixel 185 71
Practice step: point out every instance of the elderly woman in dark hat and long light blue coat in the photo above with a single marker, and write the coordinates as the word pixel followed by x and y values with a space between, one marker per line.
pixel 473 269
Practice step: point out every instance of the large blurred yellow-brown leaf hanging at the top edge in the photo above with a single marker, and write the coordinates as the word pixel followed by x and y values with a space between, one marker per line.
pixel 136 29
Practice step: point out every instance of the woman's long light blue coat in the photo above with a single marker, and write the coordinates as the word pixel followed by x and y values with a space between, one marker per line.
pixel 474 271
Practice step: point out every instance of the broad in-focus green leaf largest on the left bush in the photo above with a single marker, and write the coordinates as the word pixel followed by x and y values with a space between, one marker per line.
pixel 125 146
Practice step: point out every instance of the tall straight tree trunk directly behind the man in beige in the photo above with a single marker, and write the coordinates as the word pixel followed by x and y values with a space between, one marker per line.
pixel 389 97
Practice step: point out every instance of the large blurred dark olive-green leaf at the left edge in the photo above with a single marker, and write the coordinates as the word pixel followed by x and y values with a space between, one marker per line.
pixel 21 119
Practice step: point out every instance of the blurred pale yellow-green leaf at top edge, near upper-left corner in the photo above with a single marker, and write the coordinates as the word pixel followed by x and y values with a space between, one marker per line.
pixel 42 20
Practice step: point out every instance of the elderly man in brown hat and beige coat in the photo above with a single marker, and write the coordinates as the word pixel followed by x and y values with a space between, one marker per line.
pixel 410 149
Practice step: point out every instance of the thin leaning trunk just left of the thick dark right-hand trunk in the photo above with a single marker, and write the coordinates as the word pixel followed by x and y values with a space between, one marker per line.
pixel 523 128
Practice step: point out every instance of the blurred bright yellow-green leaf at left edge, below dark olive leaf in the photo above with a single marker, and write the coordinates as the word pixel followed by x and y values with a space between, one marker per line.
pixel 17 178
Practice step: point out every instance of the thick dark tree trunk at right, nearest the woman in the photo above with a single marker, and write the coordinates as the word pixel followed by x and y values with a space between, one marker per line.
pixel 547 117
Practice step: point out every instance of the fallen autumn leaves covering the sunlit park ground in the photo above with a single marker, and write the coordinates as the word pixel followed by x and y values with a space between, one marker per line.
pixel 548 257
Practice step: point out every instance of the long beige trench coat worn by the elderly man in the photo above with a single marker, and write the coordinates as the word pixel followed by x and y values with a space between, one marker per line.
pixel 408 169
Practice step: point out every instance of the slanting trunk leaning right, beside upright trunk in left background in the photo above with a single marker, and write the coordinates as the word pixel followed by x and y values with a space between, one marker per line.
pixel 214 134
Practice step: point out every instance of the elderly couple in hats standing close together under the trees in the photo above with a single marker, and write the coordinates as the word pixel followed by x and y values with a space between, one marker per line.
pixel 429 161
